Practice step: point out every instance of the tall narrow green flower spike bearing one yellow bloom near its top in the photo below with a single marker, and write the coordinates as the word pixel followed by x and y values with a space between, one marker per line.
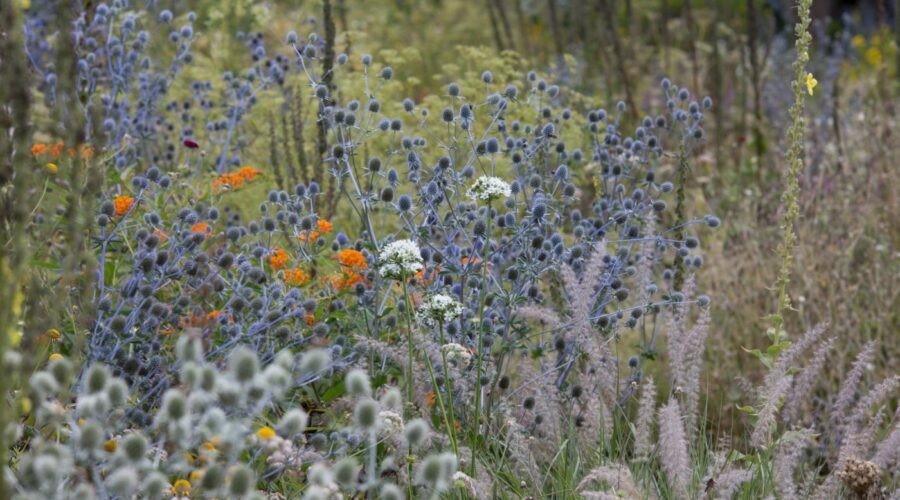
pixel 791 195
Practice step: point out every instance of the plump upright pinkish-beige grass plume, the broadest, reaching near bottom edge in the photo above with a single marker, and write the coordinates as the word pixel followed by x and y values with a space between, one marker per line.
pixel 673 448
